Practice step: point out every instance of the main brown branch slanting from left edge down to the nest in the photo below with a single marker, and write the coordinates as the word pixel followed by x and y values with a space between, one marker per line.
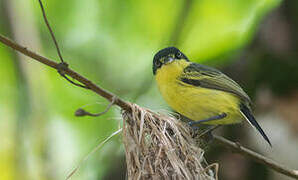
pixel 93 87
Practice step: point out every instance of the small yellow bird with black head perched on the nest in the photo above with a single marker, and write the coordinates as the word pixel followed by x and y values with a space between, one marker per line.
pixel 201 93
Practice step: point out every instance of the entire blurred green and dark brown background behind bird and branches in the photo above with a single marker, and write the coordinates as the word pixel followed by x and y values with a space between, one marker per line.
pixel 112 42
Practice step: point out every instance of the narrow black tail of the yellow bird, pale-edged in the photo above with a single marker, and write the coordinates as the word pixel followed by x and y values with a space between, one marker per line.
pixel 252 121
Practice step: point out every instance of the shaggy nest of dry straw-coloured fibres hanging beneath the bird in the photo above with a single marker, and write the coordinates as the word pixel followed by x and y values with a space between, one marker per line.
pixel 160 146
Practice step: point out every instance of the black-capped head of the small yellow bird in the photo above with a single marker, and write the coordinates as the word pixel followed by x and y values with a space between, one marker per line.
pixel 165 56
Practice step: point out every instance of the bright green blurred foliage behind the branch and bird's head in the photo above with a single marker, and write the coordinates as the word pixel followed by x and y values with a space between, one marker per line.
pixel 112 42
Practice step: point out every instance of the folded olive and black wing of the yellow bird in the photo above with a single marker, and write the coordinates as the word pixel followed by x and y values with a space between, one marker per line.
pixel 207 77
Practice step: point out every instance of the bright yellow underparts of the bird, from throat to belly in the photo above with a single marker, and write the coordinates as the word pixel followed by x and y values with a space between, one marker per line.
pixel 196 103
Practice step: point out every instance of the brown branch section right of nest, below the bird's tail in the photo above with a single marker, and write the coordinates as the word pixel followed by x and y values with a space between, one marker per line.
pixel 257 157
